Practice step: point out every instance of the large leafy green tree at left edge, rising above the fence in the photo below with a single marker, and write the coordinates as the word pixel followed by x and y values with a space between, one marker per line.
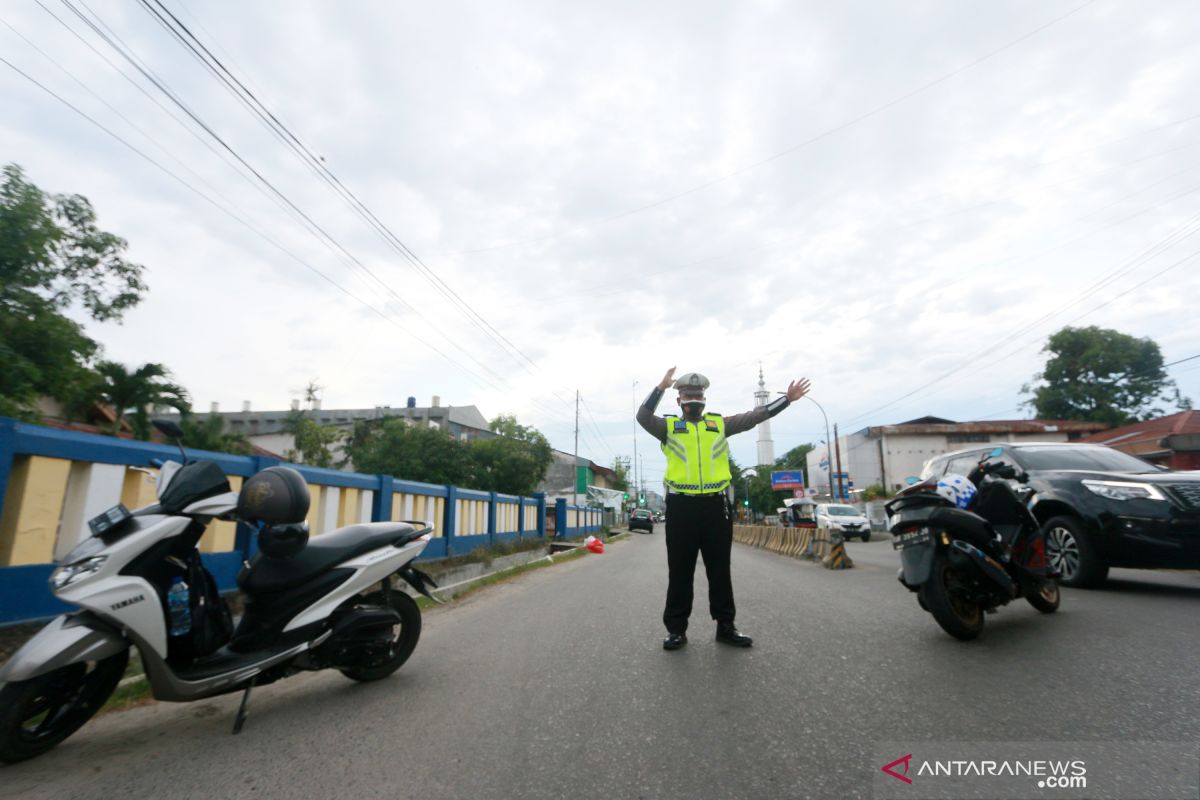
pixel 53 258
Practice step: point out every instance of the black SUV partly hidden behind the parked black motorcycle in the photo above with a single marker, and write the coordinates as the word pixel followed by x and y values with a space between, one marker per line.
pixel 1100 507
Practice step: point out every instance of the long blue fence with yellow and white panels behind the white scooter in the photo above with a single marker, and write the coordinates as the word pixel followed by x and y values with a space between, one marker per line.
pixel 53 482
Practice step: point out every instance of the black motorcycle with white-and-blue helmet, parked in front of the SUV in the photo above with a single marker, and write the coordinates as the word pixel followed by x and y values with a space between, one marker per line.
pixel 965 563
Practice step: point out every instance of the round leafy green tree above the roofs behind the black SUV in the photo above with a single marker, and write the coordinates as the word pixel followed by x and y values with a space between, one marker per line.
pixel 1100 375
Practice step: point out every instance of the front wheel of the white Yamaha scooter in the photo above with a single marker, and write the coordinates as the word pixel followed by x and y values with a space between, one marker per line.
pixel 38 714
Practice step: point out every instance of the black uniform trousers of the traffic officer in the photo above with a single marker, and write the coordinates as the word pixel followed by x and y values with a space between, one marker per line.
pixel 698 526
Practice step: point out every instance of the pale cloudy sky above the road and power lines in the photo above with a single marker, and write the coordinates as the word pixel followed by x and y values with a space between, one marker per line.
pixel 899 201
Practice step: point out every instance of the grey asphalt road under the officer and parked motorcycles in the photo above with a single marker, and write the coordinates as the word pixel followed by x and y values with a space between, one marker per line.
pixel 556 687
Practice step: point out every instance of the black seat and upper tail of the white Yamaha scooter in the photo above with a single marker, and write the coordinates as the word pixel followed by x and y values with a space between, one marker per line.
pixel 322 554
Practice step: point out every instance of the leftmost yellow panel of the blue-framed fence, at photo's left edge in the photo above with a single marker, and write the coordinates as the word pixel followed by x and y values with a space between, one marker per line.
pixel 32 510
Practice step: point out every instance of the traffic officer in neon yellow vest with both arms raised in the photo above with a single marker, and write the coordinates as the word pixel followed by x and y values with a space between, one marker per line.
pixel 700 516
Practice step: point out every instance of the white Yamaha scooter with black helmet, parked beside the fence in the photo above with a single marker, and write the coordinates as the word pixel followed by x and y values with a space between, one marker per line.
pixel 326 604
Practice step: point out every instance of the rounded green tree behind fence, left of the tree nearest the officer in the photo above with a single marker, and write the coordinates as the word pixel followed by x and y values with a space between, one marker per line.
pixel 392 447
